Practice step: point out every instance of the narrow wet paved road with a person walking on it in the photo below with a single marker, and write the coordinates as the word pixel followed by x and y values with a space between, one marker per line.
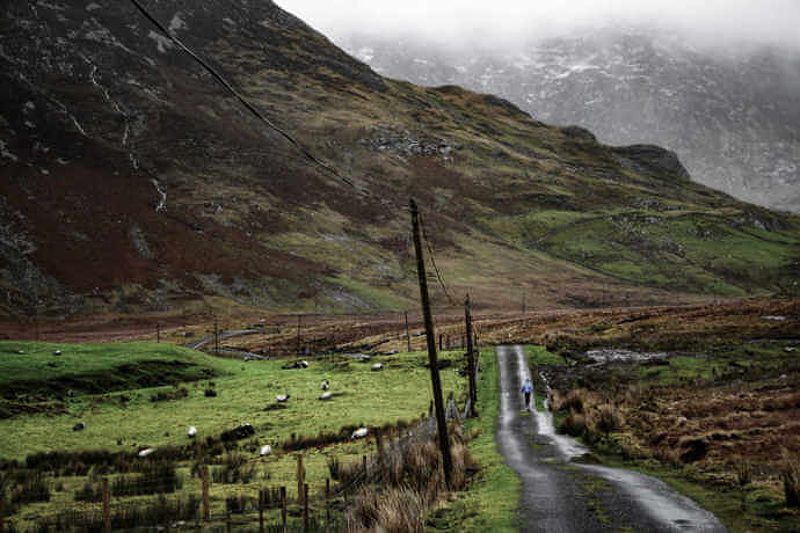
pixel 563 496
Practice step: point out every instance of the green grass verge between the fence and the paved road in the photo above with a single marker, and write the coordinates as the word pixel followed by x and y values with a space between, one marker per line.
pixel 490 503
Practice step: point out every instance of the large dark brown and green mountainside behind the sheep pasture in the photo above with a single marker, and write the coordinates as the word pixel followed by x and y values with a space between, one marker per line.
pixel 132 181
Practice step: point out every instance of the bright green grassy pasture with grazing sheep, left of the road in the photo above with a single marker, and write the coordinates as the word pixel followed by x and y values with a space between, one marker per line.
pixel 126 418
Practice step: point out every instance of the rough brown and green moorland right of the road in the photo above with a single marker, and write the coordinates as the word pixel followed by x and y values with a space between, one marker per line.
pixel 720 427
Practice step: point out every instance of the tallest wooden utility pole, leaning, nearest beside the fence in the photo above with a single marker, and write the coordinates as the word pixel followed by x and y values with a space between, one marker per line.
pixel 430 334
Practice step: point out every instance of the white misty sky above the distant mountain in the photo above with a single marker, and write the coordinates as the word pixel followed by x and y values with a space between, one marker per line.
pixel 472 21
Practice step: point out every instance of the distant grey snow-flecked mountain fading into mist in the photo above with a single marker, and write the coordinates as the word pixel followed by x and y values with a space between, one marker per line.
pixel 732 115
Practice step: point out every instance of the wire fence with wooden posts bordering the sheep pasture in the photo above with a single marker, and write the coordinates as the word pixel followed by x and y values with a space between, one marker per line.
pixel 159 499
